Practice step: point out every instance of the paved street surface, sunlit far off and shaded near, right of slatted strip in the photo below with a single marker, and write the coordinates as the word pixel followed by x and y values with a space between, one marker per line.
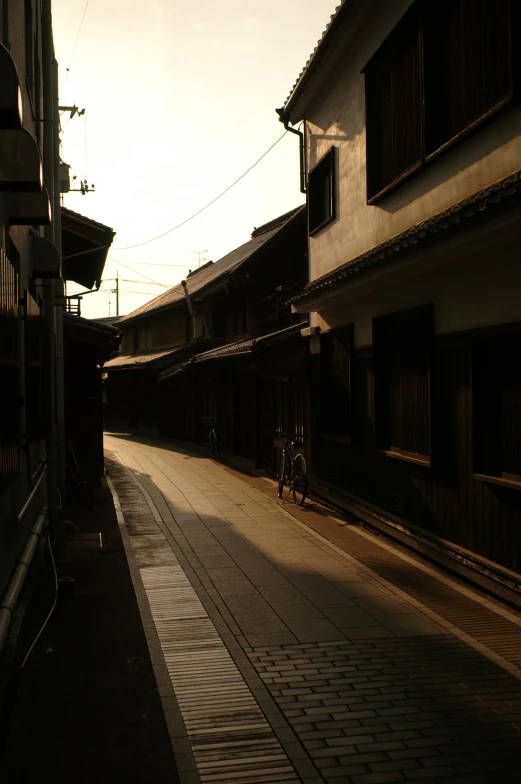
pixel 366 685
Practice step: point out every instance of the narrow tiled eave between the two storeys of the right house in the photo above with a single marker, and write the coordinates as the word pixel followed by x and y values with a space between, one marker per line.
pixel 483 201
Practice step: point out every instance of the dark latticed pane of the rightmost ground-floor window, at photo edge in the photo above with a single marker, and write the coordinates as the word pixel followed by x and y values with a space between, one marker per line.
pixel 496 402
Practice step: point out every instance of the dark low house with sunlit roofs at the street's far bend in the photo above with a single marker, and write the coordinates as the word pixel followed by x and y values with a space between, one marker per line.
pixel 224 312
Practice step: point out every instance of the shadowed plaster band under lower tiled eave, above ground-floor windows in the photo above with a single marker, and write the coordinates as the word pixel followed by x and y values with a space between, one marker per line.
pixel 478 291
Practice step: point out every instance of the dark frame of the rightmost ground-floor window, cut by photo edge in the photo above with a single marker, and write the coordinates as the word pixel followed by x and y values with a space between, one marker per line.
pixel 501 478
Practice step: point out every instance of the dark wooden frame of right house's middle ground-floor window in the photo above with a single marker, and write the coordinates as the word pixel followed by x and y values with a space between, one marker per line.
pixel 396 452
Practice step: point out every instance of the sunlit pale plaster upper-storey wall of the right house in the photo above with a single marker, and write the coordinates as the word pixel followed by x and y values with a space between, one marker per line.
pixel 334 108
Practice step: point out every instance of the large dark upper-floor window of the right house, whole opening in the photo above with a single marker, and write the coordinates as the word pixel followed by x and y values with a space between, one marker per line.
pixel 446 67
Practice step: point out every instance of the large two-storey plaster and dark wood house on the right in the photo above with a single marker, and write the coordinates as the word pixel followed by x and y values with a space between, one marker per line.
pixel 411 155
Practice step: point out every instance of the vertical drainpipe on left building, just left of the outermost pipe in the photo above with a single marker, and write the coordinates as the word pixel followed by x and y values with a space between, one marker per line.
pixel 56 525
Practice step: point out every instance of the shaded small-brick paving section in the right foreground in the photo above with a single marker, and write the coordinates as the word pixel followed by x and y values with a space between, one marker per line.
pixel 427 709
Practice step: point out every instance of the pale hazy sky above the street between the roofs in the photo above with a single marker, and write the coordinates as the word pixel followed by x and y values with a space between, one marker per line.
pixel 180 100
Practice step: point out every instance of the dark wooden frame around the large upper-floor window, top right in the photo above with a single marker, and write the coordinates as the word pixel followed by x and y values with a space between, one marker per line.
pixel 427 157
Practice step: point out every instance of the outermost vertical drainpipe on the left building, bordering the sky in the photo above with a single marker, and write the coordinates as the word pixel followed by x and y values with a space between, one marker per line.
pixel 59 290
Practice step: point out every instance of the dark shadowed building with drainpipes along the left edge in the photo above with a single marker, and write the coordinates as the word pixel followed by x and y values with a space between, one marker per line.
pixel 32 392
